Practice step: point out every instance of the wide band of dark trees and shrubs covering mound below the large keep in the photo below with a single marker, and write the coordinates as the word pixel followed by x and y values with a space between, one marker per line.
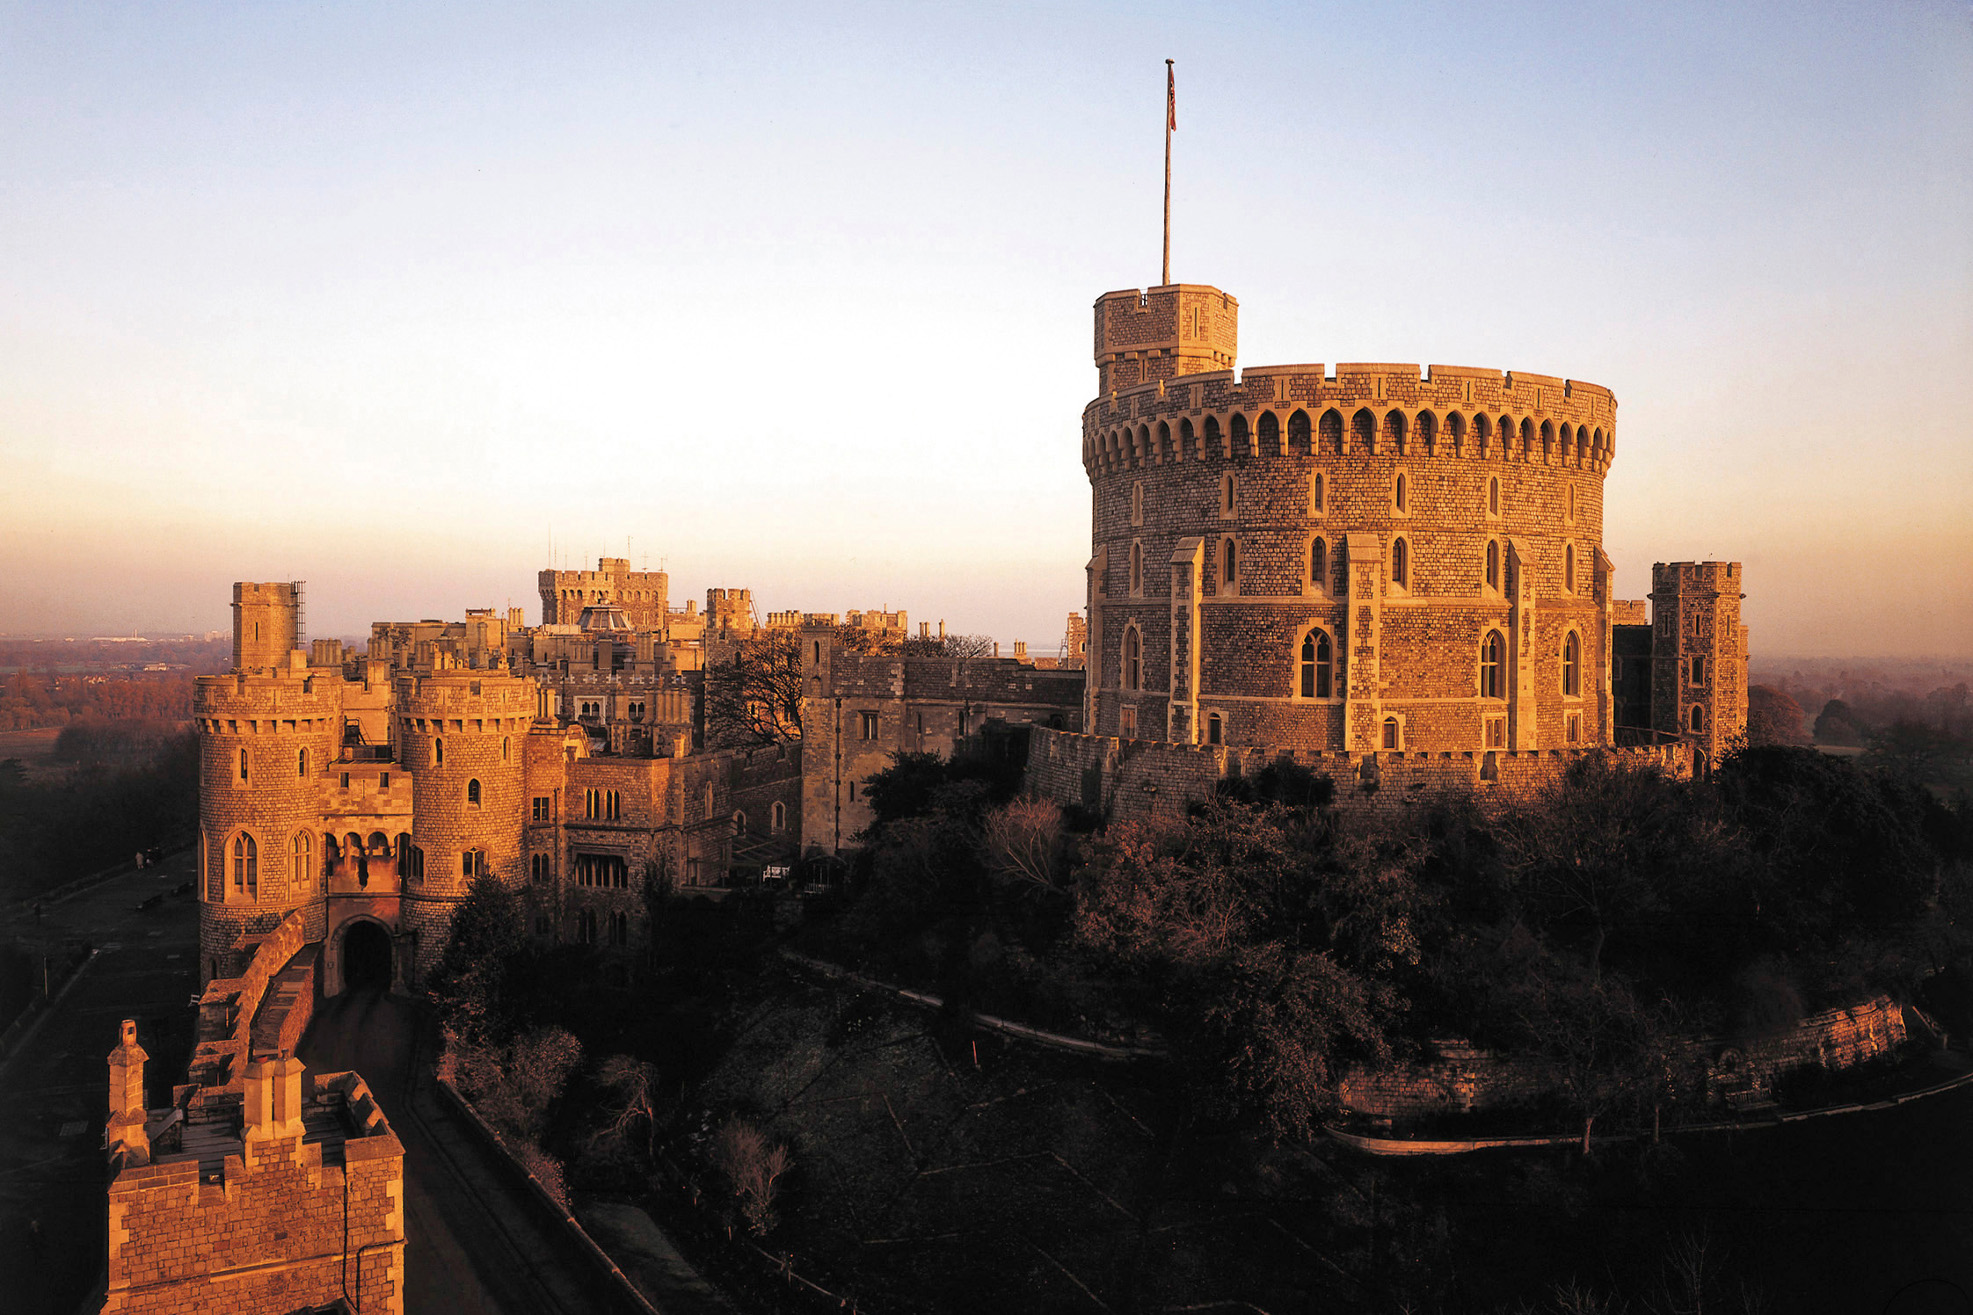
pixel 1279 945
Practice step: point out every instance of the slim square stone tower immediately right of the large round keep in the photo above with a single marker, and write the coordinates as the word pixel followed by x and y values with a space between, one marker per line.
pixel 1700 655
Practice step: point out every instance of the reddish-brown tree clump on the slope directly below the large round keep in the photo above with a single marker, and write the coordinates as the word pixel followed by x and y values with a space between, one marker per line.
pixel 1274 955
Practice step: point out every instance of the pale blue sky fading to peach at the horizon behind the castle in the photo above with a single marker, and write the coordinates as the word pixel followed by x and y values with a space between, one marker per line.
pixel 382 297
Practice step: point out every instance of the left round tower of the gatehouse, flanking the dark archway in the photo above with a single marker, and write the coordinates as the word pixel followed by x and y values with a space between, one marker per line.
pixel 265 747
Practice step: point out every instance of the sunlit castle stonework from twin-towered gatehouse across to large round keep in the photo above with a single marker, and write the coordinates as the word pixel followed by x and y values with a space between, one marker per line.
pixel 1390 576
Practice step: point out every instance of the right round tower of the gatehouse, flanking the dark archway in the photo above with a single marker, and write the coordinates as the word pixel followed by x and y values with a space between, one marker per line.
pixel 461 737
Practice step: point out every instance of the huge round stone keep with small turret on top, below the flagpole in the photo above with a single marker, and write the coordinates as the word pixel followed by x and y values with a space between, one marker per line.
pixel 1339 560
